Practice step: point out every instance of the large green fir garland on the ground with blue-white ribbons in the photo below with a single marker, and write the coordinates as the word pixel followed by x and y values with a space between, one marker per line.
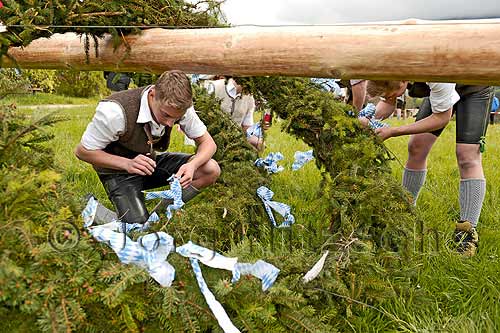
pixel 84 288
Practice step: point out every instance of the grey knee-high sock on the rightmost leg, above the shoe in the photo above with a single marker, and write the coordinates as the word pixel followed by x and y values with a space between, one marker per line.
pixel 471 198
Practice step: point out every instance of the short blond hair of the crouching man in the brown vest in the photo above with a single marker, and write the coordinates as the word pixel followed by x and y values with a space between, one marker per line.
pixel 173 88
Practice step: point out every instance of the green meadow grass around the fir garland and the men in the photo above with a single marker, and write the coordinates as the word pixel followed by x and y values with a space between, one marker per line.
pixel 463 295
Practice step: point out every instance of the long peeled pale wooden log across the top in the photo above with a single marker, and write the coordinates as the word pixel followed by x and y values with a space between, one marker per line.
pixel 446 51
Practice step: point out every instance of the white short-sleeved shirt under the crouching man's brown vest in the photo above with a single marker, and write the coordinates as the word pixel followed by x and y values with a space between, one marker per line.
pixel 108 124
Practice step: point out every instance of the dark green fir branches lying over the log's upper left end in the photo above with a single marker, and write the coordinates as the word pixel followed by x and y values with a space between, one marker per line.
pixel 28 20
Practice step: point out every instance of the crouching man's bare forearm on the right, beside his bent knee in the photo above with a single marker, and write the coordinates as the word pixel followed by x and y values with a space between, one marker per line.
pixel 206 148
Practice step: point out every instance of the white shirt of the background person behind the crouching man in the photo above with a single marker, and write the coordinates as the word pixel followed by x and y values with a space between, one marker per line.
pixel 244 105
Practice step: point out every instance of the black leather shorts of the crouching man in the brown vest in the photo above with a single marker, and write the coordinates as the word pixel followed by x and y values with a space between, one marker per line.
pixel 125 190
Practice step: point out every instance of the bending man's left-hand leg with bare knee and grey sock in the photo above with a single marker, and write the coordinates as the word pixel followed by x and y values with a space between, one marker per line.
pixel 415 170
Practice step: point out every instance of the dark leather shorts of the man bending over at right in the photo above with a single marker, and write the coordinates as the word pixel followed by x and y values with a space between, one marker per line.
pixel 472 111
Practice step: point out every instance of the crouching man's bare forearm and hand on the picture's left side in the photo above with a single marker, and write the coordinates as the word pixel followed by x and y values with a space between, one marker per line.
pixel 140 165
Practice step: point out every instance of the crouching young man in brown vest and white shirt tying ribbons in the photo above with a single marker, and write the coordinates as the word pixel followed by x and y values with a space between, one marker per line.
pixel 128 128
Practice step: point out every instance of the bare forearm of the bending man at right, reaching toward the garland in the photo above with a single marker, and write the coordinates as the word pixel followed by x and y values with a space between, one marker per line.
pixel 434 122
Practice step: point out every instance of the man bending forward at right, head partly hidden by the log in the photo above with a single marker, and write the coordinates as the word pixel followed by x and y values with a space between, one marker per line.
pixel 471 104
